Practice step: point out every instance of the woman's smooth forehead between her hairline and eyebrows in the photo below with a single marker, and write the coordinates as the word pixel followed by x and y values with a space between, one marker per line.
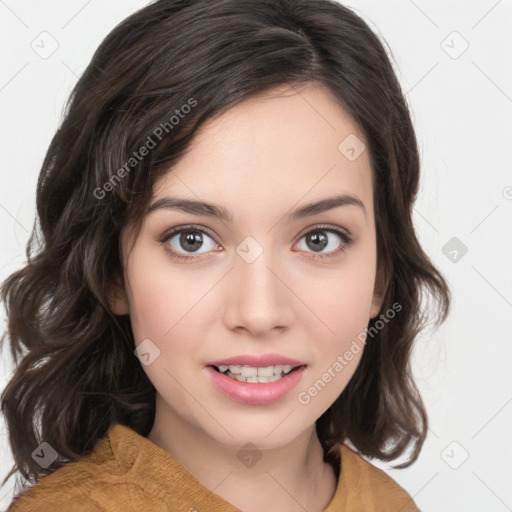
pixel 273 152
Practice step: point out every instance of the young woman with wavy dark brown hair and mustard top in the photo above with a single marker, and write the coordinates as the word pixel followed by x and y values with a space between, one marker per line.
pixel 220 311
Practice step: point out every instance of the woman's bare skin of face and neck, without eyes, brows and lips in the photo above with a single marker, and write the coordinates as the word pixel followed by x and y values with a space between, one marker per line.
pixel 259 160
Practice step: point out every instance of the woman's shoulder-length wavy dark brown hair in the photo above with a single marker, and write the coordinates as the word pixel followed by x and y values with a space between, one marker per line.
pixel 76 373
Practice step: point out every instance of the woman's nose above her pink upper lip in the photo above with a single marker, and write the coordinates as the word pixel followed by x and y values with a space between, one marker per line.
pixel 258 297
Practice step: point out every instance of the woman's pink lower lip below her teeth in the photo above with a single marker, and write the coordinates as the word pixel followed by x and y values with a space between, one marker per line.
pixel 254 392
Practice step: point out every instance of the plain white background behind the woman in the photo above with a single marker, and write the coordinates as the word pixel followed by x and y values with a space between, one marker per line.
pixel 462 109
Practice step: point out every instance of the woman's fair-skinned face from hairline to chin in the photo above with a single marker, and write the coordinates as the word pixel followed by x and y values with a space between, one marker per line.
pixel 263 280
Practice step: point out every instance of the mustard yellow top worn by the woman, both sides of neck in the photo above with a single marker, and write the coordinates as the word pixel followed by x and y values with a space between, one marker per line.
pixel 127 472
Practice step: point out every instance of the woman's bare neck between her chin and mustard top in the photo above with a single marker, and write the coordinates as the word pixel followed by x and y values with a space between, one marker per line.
pixel 290 477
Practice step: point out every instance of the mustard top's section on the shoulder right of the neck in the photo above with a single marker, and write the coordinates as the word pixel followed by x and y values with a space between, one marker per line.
pixel 369 488
